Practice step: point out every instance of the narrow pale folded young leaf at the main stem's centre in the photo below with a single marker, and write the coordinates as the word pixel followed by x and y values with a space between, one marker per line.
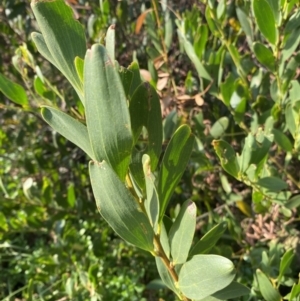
pixel 152 201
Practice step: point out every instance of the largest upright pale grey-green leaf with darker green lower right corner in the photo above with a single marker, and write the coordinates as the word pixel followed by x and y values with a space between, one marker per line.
pixel 107 114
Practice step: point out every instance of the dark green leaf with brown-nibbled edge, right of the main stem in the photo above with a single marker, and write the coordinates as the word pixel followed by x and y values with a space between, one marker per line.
pixel 227 157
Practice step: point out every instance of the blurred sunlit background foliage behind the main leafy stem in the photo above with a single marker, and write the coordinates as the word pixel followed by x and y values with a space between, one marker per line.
pixel 204 58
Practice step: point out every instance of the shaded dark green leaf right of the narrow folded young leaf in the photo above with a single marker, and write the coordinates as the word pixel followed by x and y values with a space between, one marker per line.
pixel 173 165
